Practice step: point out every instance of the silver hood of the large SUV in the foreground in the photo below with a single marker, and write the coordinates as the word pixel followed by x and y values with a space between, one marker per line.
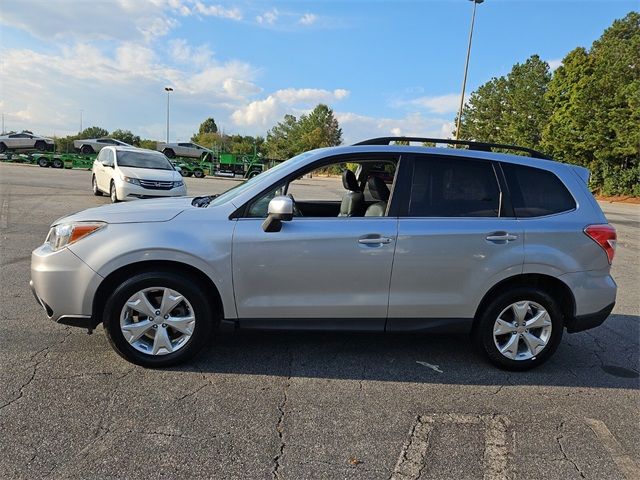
pixel 137 211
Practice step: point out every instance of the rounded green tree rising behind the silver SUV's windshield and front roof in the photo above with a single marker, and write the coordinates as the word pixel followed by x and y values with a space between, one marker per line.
pixel 291 136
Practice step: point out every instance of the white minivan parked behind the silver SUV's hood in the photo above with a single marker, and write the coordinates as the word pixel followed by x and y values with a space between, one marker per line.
pixel 128 173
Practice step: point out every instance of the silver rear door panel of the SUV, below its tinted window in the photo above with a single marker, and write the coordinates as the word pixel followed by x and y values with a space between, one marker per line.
pixel 443 266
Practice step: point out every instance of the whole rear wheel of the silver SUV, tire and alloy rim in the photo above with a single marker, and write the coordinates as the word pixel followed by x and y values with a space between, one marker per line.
pixel 520 329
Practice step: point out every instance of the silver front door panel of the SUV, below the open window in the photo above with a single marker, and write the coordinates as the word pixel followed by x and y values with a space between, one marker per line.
pixel 314 269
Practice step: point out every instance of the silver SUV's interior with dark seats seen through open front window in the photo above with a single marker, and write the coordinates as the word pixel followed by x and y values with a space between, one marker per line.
pixel 366 189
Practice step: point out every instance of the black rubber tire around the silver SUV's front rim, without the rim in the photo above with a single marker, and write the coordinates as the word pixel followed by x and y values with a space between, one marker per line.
pixel 190 290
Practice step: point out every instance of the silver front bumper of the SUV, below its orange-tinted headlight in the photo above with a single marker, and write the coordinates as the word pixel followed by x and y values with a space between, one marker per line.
pixel 64 286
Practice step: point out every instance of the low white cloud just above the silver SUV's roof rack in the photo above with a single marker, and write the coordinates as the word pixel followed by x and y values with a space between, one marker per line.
pixel 360 127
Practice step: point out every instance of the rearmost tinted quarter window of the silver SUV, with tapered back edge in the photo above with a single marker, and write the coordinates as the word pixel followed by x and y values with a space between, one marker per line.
pixel 536 192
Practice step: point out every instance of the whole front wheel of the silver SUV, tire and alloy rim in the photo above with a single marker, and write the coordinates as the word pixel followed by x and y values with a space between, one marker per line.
pixel 158 319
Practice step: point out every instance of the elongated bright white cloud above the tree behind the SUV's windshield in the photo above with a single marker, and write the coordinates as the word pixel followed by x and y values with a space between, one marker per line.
pixel 264 113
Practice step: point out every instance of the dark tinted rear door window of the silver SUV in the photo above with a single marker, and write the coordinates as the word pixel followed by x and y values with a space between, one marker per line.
pixel 449 187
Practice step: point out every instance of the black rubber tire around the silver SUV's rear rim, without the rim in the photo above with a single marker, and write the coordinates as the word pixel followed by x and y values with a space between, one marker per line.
pixel 483 329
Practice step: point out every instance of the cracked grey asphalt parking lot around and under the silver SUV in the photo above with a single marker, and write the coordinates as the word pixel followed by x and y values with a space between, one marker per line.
pixel 294 405
